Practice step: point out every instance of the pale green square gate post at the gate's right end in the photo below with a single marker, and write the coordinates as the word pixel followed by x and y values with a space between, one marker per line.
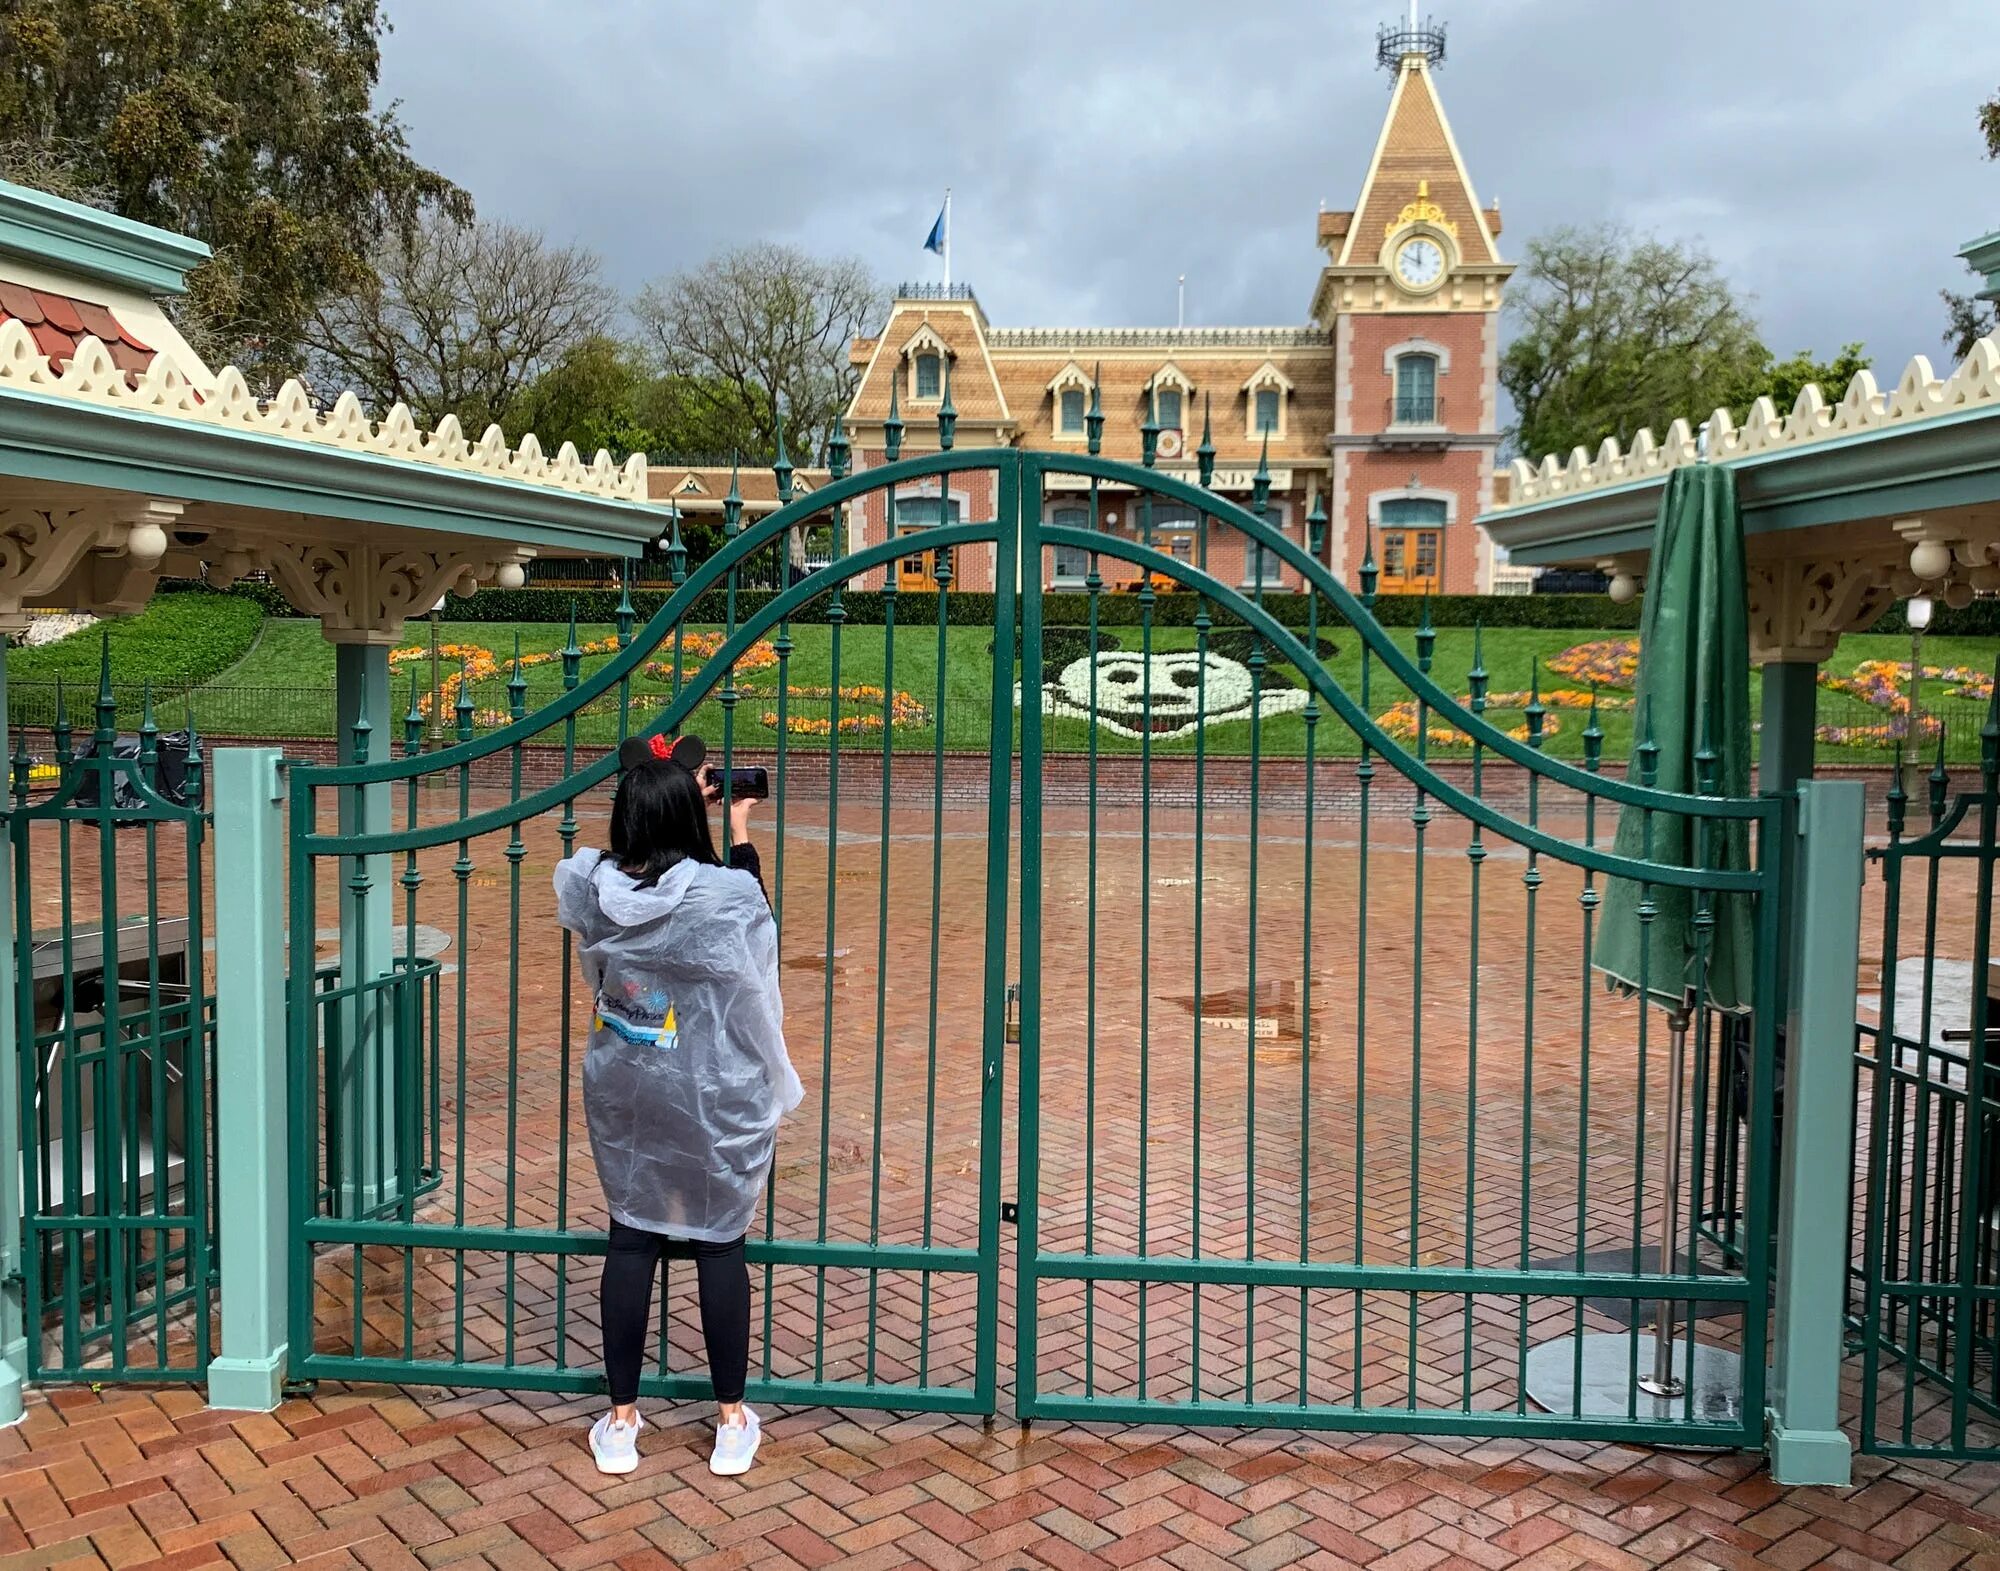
pixel 1815 1190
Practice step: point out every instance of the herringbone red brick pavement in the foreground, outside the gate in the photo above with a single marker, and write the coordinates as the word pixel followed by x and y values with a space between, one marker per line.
pixel 381 1480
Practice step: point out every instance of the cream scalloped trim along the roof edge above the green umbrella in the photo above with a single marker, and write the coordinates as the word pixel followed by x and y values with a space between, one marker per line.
pixel 1917 397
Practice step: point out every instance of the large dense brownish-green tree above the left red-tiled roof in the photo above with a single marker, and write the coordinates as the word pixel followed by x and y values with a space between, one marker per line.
pixel 245 123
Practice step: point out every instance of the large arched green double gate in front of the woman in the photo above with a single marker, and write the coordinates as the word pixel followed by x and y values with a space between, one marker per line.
pixel 1321 1114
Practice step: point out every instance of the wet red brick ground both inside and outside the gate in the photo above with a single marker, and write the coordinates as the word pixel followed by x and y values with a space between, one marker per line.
pixel 1409 1100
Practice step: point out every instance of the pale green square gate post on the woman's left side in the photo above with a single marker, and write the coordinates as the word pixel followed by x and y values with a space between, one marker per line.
pixel 251 1078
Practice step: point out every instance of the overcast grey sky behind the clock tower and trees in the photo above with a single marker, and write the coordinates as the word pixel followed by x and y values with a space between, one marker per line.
pixel 1825 153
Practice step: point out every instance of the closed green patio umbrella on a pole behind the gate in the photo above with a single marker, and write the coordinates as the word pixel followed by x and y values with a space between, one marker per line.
pixel 1693 737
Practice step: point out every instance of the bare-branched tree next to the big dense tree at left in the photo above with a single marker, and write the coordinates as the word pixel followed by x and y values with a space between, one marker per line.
pixel 461 321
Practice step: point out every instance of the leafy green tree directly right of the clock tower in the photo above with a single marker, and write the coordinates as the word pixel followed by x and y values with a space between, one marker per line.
pixel 1619 333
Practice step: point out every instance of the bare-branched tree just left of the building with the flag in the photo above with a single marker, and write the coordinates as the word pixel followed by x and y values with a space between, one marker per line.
pixel 763 329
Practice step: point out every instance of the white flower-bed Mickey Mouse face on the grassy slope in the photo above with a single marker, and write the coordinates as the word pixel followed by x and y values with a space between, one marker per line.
pixel 1161 697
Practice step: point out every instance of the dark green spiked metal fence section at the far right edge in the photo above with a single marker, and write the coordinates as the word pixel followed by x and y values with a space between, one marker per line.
pixel 1925 1280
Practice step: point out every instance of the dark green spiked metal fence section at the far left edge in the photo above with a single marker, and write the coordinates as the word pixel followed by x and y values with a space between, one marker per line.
pixel 117 1032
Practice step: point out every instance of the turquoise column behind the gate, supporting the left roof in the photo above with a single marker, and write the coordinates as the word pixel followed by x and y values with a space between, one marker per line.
pixel 367 1060
